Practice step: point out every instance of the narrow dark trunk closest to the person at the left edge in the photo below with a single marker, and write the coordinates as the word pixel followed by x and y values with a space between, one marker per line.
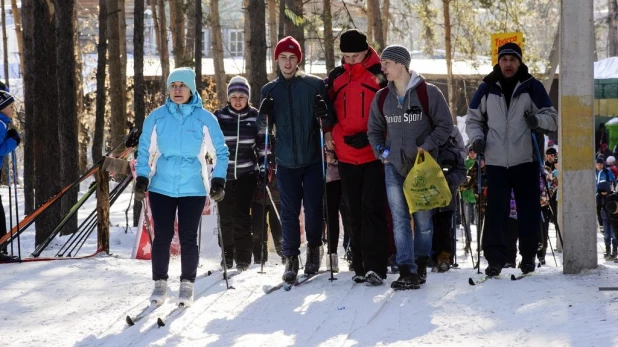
pixel 29 93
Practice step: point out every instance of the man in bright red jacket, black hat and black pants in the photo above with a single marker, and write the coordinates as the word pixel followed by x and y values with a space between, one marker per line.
pixel 351 88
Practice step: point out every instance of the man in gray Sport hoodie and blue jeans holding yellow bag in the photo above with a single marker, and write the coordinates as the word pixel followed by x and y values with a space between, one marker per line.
pixel 408 117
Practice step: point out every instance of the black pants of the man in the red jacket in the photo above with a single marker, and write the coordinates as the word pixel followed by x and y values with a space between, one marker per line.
pixel 364 189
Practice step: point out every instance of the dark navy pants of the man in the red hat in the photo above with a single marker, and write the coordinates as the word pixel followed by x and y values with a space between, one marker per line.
pixel 304 185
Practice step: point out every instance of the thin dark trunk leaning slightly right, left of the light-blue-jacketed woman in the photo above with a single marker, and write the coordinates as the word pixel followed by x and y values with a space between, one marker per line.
pixel 99 123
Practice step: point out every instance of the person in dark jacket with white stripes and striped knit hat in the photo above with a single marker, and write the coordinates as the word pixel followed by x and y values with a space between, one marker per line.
pixel 239 122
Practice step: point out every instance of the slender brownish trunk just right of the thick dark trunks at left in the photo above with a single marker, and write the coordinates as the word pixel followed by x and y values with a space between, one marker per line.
pixel 83 135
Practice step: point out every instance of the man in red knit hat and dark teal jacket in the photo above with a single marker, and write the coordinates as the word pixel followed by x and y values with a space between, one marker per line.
pixel 294 104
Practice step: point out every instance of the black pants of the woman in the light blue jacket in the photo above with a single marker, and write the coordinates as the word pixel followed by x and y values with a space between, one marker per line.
pixel 164 210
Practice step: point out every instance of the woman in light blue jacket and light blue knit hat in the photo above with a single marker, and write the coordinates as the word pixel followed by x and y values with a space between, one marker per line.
pixel 171 165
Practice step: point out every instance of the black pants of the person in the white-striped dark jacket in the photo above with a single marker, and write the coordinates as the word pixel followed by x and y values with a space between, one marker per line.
pixel 235 214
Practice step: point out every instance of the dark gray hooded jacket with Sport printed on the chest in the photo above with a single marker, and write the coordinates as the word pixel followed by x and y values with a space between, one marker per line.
pixel 404 127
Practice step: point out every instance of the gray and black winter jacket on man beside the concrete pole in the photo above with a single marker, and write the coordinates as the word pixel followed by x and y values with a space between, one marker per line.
pixel 507 136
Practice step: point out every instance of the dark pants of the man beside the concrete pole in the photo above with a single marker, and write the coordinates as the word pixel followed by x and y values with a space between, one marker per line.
pixel 523 179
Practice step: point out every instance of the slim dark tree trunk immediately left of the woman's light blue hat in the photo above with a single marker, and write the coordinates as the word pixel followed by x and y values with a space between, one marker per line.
pixel 138 82
